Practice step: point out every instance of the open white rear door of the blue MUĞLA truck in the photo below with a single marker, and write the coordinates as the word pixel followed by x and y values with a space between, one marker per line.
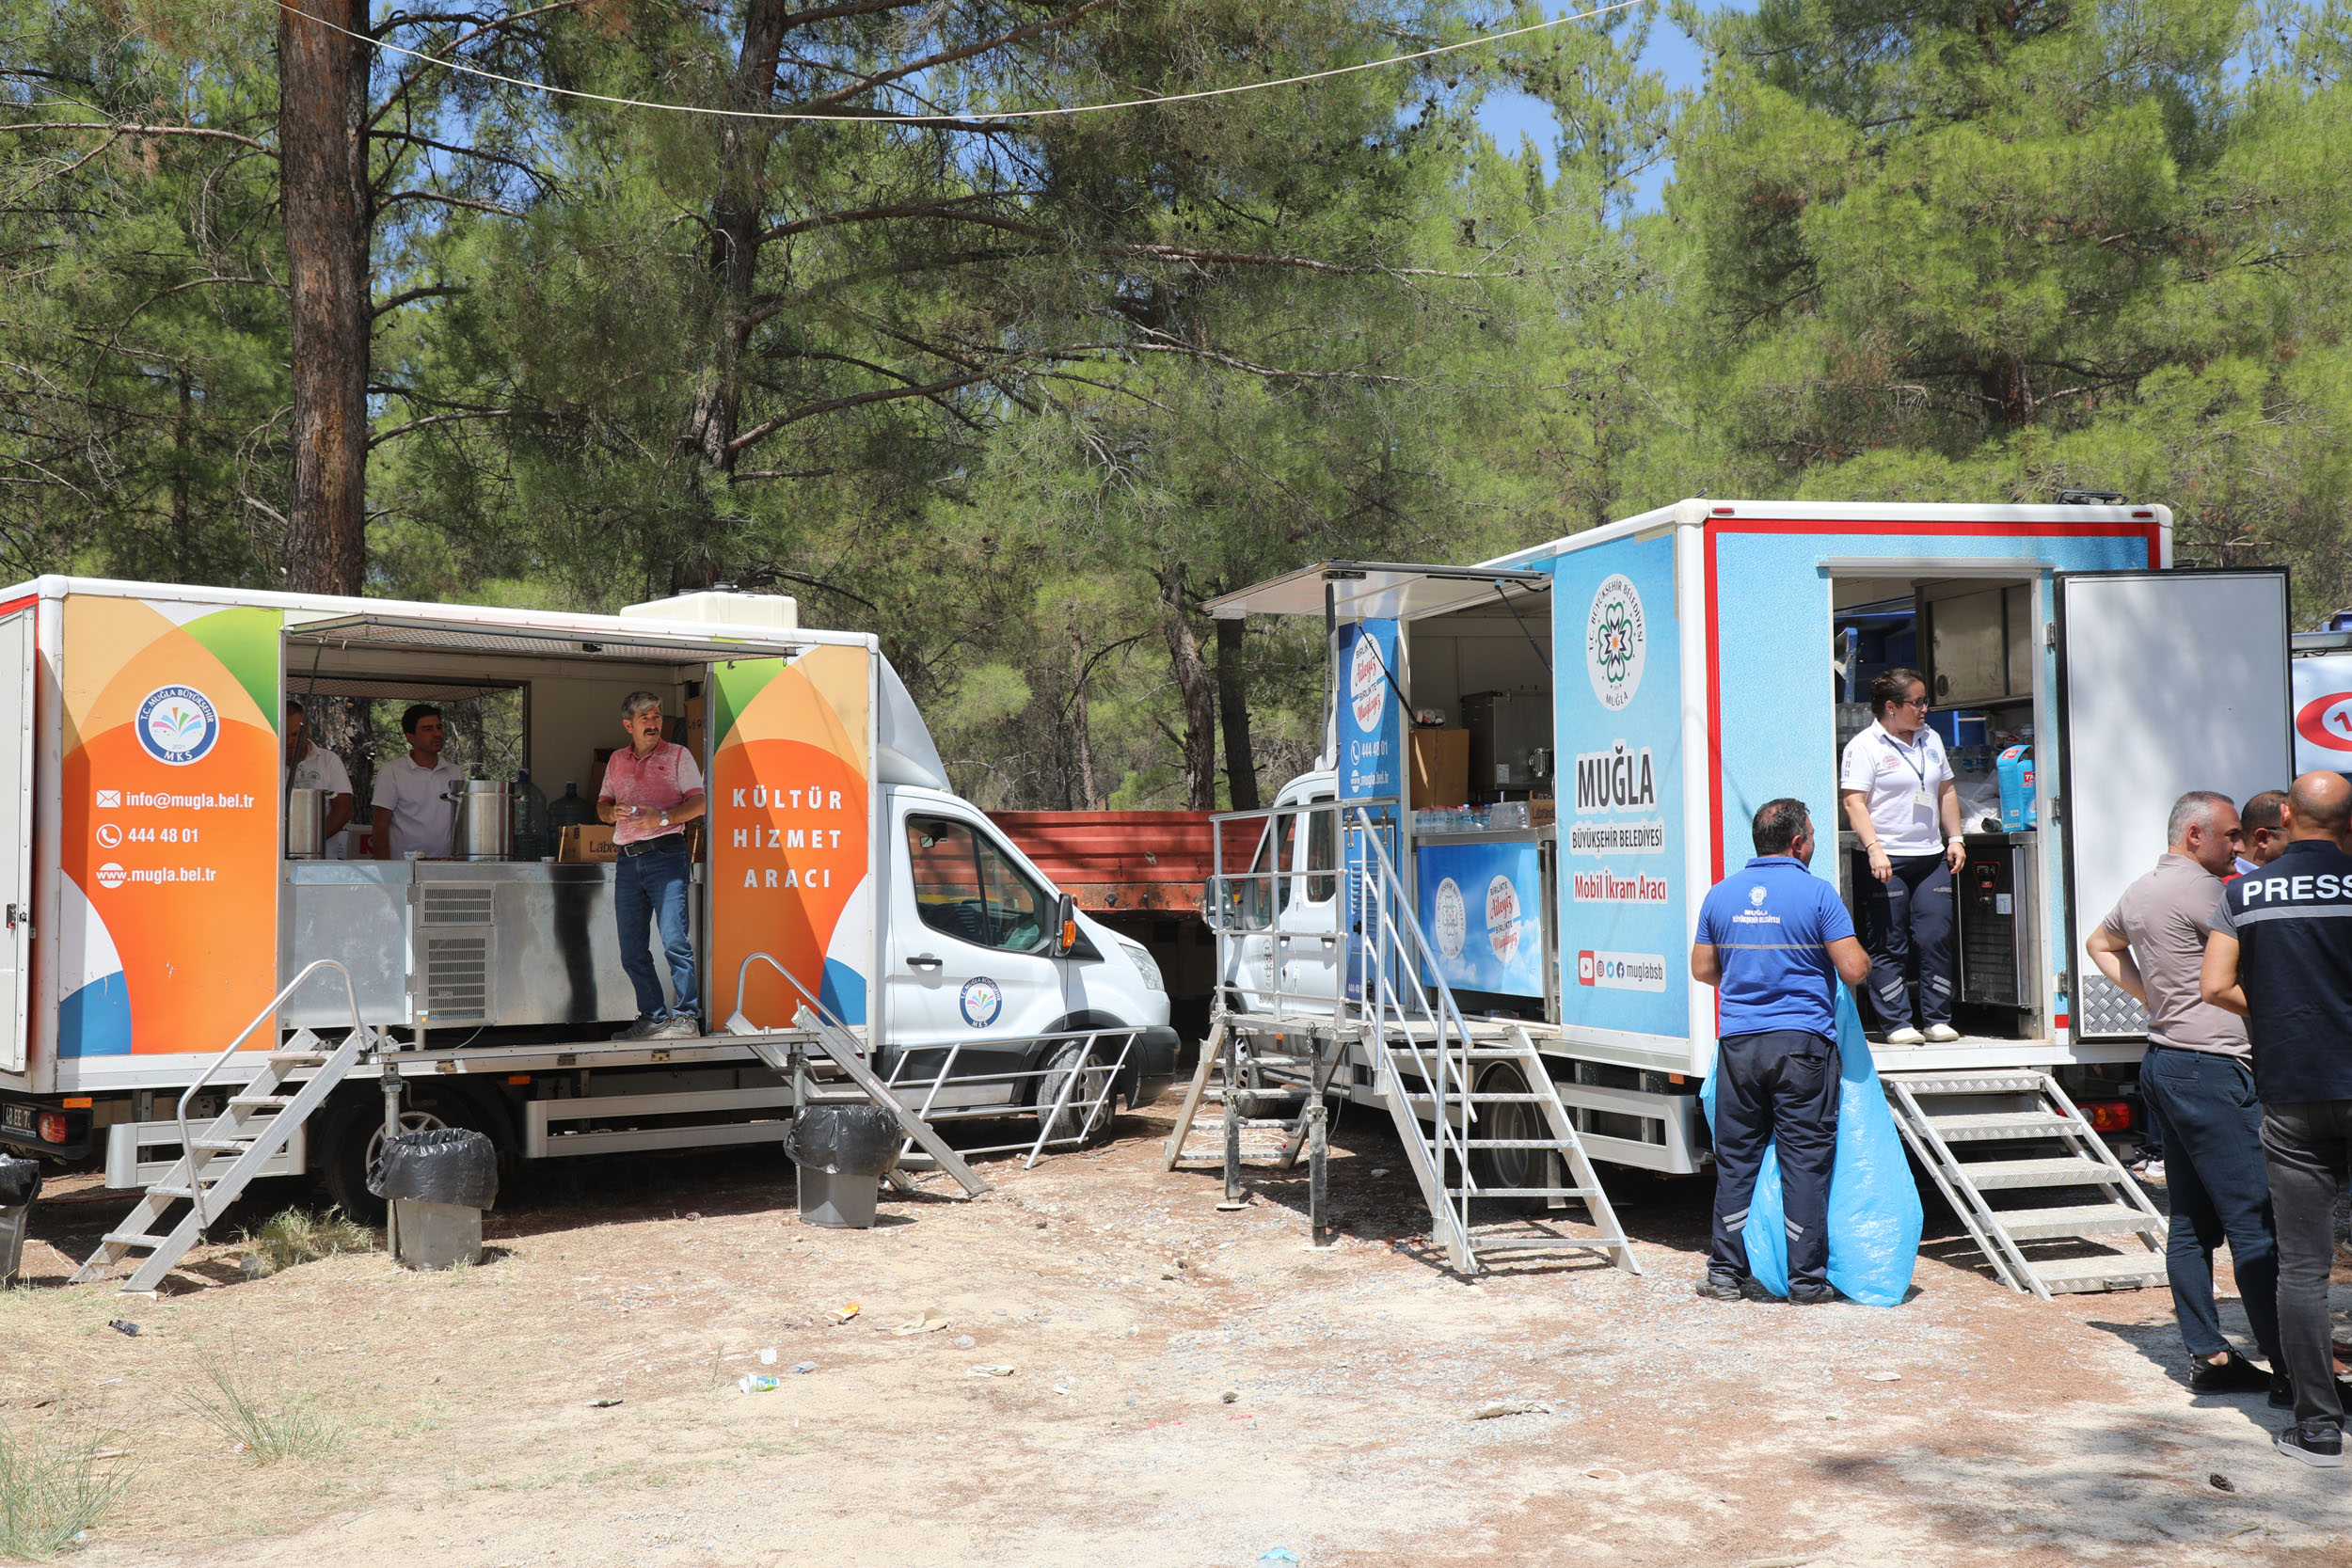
pixel 2167 683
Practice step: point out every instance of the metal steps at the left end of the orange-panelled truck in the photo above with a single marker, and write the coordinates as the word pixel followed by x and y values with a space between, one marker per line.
pixel 225 1155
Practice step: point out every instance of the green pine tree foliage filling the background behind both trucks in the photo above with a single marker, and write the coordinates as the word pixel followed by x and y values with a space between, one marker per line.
pixel 1005 394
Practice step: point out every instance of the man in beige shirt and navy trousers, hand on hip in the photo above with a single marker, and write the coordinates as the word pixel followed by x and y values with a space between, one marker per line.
pixel 2198 1087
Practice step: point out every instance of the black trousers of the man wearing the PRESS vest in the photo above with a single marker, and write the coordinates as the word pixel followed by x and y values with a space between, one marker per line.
pixel 2308 1151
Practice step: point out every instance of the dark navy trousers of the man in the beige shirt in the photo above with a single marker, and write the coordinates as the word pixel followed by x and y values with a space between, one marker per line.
pixel 2219 1188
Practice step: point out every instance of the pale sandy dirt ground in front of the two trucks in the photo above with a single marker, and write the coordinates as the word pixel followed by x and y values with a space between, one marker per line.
pixel 1187 1388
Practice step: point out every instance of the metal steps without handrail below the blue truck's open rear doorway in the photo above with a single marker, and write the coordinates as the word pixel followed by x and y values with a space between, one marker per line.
pixel 2033 1144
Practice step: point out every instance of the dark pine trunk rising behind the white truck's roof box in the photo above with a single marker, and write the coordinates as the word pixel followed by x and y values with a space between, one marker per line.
pixel 737 213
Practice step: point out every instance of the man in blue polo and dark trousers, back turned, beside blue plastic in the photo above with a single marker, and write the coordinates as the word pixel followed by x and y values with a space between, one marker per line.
pixel 1775 942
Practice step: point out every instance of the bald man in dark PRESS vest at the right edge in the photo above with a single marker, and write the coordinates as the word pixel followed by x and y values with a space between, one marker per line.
pixel 2283 958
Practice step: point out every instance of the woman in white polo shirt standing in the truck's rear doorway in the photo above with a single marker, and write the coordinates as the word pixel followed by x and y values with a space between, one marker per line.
pixel 1904 805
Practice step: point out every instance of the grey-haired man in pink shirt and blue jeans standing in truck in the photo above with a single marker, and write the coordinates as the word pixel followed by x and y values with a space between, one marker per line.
pixel 653 791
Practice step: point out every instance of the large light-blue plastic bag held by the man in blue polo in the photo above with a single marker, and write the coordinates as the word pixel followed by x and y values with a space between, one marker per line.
pixel 1873 1200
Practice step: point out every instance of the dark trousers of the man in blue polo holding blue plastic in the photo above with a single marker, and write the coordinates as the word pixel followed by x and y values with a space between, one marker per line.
pixel 1777 1087
